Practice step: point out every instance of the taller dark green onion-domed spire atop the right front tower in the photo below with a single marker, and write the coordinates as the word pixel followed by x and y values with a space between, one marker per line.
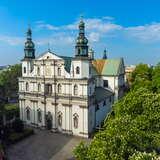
pixel 81 44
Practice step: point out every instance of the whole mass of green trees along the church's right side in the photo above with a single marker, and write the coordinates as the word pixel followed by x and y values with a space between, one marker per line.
pixel 132 130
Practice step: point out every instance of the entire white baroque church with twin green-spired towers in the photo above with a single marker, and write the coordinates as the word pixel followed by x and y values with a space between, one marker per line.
pixel 71 95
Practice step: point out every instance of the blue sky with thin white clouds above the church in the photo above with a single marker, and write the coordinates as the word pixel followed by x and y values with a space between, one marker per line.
pixel 127 28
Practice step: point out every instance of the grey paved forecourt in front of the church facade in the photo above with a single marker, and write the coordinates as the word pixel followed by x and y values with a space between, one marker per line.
pixel 44 145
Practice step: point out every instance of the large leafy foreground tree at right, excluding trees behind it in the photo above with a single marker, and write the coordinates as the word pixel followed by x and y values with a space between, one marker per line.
pixel 131 127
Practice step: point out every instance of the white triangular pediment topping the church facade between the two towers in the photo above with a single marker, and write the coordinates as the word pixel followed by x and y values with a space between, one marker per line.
pixel 48 55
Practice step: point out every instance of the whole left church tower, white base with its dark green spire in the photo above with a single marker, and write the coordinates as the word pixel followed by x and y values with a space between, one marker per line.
pixel 29 55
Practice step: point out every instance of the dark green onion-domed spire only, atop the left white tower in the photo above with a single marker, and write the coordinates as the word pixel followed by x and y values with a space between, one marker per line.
pixel 29 46
